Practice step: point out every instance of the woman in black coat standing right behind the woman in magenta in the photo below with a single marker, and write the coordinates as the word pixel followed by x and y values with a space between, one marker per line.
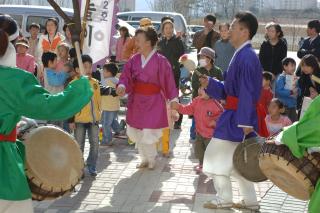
pixel 172 48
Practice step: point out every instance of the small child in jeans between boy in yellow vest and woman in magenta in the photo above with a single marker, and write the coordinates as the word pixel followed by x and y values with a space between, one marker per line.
pixel 110 105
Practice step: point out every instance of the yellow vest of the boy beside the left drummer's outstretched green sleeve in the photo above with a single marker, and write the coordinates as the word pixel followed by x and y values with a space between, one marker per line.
pixel 86 115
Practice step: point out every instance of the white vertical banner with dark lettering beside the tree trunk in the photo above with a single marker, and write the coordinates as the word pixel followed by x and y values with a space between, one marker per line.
pixel 99 27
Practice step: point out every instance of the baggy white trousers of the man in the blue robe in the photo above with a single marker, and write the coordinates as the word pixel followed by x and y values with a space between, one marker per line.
pixel 218 164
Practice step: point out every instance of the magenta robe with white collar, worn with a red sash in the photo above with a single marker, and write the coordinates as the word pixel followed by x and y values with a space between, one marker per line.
pixel 148 111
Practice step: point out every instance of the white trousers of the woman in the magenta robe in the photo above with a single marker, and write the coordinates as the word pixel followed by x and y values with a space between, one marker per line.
pixel 146 141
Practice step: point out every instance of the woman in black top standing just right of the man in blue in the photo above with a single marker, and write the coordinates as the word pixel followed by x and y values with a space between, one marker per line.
pixel 273 50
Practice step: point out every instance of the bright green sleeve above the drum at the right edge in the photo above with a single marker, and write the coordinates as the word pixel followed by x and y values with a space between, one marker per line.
pixel 304 133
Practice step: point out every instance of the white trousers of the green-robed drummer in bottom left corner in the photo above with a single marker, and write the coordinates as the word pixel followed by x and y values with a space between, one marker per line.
pixel 8 206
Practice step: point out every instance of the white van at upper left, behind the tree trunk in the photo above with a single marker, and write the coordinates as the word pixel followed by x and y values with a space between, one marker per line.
pixel 28 14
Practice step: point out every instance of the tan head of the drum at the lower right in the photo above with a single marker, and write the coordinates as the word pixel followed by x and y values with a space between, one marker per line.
pixel 286 176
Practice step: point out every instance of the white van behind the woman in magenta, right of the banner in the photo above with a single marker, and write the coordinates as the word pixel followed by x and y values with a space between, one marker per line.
pixel 179 20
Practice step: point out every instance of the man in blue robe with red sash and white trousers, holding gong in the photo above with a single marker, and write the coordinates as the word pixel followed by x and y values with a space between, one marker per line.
pixel 241 90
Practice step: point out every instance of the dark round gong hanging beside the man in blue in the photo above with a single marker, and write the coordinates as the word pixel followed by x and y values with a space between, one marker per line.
pixel 249 168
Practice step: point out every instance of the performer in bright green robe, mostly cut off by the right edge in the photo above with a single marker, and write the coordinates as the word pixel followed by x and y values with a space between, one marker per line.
pixel 303 136
